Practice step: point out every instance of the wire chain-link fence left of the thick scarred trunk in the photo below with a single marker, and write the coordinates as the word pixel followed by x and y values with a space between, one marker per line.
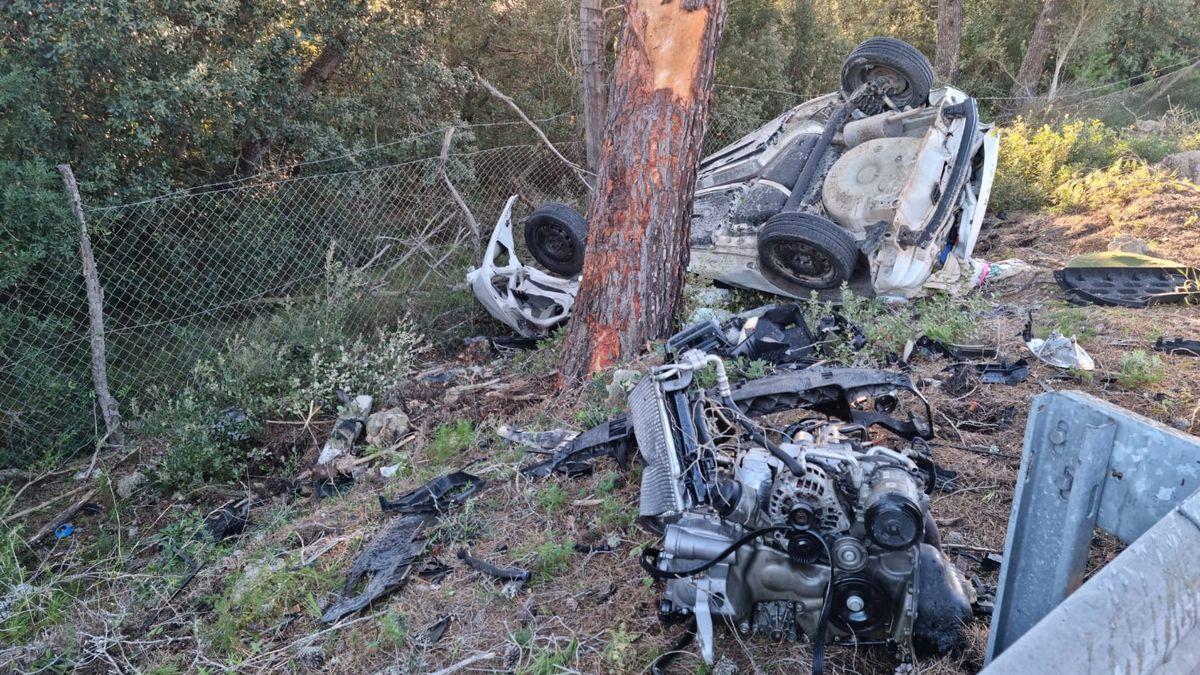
pixel 185 273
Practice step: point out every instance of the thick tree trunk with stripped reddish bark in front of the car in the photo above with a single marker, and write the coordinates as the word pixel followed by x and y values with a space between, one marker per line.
pixel 639 218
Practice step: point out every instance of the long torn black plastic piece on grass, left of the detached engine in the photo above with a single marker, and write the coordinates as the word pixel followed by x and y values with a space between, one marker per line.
pixel 385 564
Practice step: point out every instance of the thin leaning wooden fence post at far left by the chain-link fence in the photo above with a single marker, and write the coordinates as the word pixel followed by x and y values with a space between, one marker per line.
pixel 109 408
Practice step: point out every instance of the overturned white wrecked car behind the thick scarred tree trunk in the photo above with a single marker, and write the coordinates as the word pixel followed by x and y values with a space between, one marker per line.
pixel 881 187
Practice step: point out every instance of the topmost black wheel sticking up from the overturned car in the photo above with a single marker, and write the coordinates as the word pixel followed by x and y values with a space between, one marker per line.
pixel 902 71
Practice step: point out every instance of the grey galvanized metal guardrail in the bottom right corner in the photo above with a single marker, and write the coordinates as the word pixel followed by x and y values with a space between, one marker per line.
pixel 1090 464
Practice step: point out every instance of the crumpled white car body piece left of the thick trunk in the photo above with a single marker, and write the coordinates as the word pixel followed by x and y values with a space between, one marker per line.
pixel 523 297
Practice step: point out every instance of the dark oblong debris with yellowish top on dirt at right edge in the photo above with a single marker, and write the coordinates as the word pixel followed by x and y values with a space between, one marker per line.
pixel 1129 280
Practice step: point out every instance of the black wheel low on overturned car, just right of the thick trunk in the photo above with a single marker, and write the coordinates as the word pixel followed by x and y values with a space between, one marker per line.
pixel 806 250
